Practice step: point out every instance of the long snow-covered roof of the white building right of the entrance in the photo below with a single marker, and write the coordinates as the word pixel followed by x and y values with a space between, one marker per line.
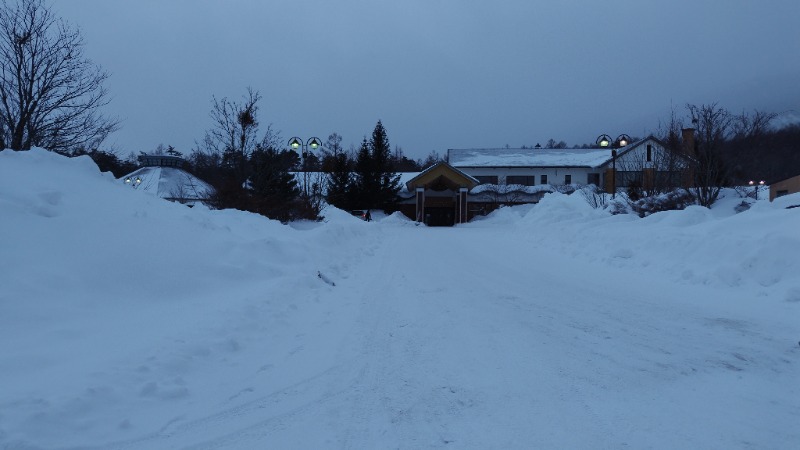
pixel 536 157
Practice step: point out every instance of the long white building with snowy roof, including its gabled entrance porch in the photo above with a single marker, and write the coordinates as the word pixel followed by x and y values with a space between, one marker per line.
pixel 477 181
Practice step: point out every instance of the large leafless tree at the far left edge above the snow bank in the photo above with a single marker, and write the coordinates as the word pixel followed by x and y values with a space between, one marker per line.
pixel 50 94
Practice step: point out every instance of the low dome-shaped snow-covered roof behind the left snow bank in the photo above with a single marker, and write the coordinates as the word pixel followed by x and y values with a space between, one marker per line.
pixel 169 182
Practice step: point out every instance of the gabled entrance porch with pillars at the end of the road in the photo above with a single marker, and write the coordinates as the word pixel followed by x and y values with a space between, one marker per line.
pixel 440 196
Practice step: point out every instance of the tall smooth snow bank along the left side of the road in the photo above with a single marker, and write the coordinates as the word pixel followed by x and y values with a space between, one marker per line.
pixel 99 283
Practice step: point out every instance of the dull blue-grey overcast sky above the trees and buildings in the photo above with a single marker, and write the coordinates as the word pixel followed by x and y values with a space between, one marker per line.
pixel 439 73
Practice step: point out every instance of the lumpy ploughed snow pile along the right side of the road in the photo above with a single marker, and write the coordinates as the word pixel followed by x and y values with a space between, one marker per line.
pixel 709 247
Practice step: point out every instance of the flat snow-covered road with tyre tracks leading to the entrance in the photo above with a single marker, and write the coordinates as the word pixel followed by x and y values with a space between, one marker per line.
pixel 463 338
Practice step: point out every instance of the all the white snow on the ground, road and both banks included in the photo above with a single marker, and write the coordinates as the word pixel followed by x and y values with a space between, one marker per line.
pixel 130 322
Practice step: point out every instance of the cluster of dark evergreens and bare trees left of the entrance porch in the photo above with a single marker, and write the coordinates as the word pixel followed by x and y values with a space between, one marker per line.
pixel 253 171
